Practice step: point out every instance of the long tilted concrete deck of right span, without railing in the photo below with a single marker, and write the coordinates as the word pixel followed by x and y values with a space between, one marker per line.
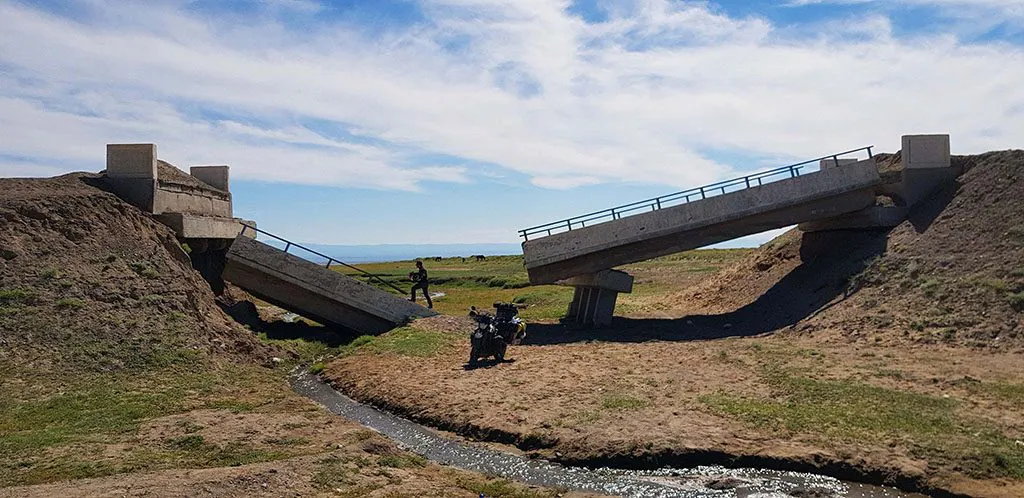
pixel 816 196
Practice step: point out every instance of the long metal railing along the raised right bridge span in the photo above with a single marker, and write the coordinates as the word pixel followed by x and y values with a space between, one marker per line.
pixel 685 197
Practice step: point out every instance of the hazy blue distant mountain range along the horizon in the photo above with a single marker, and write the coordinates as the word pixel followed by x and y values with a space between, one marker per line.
pixel 400 253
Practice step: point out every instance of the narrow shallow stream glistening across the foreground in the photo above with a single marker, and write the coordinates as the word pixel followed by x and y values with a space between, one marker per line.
pixel 688 483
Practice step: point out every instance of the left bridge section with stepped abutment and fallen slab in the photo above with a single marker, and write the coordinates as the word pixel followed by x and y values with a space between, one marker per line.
pixel 198 207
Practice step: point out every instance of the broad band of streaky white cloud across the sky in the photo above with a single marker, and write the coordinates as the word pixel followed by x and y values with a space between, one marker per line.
pixel 523 86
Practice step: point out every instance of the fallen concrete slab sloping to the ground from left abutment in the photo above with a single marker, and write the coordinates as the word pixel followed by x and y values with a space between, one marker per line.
pixel 314 292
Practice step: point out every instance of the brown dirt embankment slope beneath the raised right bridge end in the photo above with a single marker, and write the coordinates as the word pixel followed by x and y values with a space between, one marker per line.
pixel 953 273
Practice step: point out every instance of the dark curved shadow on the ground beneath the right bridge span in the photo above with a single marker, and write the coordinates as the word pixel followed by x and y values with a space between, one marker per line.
pixel 830 262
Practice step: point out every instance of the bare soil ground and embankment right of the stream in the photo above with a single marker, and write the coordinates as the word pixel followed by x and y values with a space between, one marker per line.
pixel 891 357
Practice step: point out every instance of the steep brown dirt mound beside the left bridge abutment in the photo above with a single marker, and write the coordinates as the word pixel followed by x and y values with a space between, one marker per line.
pixel 90 282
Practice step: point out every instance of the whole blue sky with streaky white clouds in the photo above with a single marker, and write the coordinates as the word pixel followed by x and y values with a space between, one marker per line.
pixel 463 121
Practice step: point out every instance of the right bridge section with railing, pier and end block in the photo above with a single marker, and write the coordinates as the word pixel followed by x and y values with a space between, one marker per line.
pixel 582 252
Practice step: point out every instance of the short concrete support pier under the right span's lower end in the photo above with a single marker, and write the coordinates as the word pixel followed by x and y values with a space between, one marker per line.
pixel 594 301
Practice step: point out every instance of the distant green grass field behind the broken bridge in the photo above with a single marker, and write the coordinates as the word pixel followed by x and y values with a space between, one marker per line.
pixel 470 282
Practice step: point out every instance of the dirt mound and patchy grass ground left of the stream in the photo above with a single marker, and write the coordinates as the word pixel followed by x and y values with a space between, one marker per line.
pixel 119 375
